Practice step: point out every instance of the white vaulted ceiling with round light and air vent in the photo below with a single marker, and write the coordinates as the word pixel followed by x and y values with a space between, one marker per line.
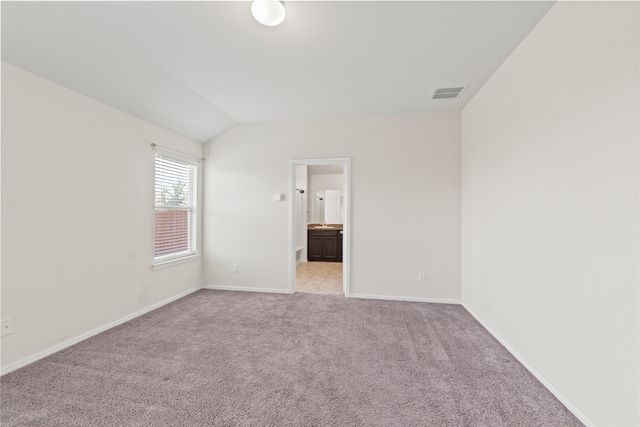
pixel 198 68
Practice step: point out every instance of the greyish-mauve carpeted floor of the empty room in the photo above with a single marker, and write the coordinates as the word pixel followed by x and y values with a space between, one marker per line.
pixel 218 358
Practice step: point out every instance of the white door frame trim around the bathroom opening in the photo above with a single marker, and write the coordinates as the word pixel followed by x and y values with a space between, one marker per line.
pixel 345 162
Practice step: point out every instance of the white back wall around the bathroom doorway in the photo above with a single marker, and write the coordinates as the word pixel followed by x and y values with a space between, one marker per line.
pixel 416 227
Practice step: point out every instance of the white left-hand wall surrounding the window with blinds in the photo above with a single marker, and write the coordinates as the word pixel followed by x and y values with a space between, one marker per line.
pixel 77 215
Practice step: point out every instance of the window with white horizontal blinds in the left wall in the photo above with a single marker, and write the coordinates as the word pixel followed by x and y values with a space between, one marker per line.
pixel 175 198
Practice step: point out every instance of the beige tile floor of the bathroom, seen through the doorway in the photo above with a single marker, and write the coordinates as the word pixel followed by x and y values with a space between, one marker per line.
pixel 319 277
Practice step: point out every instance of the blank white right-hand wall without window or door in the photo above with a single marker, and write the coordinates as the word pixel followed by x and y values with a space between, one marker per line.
pixel 550 206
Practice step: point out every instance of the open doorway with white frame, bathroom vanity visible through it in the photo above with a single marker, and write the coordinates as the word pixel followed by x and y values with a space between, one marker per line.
pixel 319 219
